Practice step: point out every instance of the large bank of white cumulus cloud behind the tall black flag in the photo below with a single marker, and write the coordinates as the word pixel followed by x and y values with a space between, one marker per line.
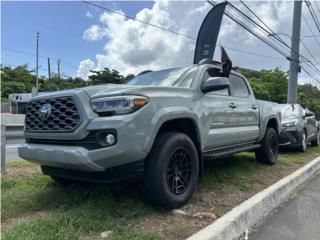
pixel 132 46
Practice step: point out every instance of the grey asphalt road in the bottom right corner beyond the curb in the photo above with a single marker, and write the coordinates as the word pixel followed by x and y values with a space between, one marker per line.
pixel 297 219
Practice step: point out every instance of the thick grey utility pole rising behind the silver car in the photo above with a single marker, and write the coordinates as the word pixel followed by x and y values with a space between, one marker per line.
pixel 294 58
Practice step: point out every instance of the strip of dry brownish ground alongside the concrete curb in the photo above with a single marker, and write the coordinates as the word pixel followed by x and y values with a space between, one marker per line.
pixel 168 225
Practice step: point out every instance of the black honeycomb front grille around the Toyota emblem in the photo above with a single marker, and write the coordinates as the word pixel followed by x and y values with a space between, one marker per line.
pixel 64 116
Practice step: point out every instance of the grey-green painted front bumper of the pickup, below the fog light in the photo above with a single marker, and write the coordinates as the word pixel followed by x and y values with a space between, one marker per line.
pixel 78 158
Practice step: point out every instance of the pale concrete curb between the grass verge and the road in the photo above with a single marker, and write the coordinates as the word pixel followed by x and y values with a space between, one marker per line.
pixel 233 224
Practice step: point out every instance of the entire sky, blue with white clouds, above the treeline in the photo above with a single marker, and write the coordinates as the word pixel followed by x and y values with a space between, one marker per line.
pixel 87 38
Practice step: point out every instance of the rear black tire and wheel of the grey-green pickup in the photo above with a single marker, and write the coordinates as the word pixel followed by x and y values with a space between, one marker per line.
pixel 268 152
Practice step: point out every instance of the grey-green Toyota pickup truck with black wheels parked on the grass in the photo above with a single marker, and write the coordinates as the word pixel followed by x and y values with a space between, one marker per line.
pixel 157 127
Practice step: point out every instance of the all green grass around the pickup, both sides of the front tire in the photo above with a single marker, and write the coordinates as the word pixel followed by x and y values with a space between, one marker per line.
pixel 82 211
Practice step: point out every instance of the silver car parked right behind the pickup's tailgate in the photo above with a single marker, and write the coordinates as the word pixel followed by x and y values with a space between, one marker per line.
pixel 299 127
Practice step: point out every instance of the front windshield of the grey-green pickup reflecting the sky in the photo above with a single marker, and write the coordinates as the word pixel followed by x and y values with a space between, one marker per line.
pixel 162 78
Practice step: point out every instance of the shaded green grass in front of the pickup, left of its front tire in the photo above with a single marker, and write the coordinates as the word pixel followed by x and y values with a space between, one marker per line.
pixel 75 211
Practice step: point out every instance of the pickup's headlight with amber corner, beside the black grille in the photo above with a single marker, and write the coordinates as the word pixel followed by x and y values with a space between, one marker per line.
pixel 118 105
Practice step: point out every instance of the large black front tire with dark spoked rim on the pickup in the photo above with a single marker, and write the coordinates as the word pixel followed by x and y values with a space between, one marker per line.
pixel 172 161
